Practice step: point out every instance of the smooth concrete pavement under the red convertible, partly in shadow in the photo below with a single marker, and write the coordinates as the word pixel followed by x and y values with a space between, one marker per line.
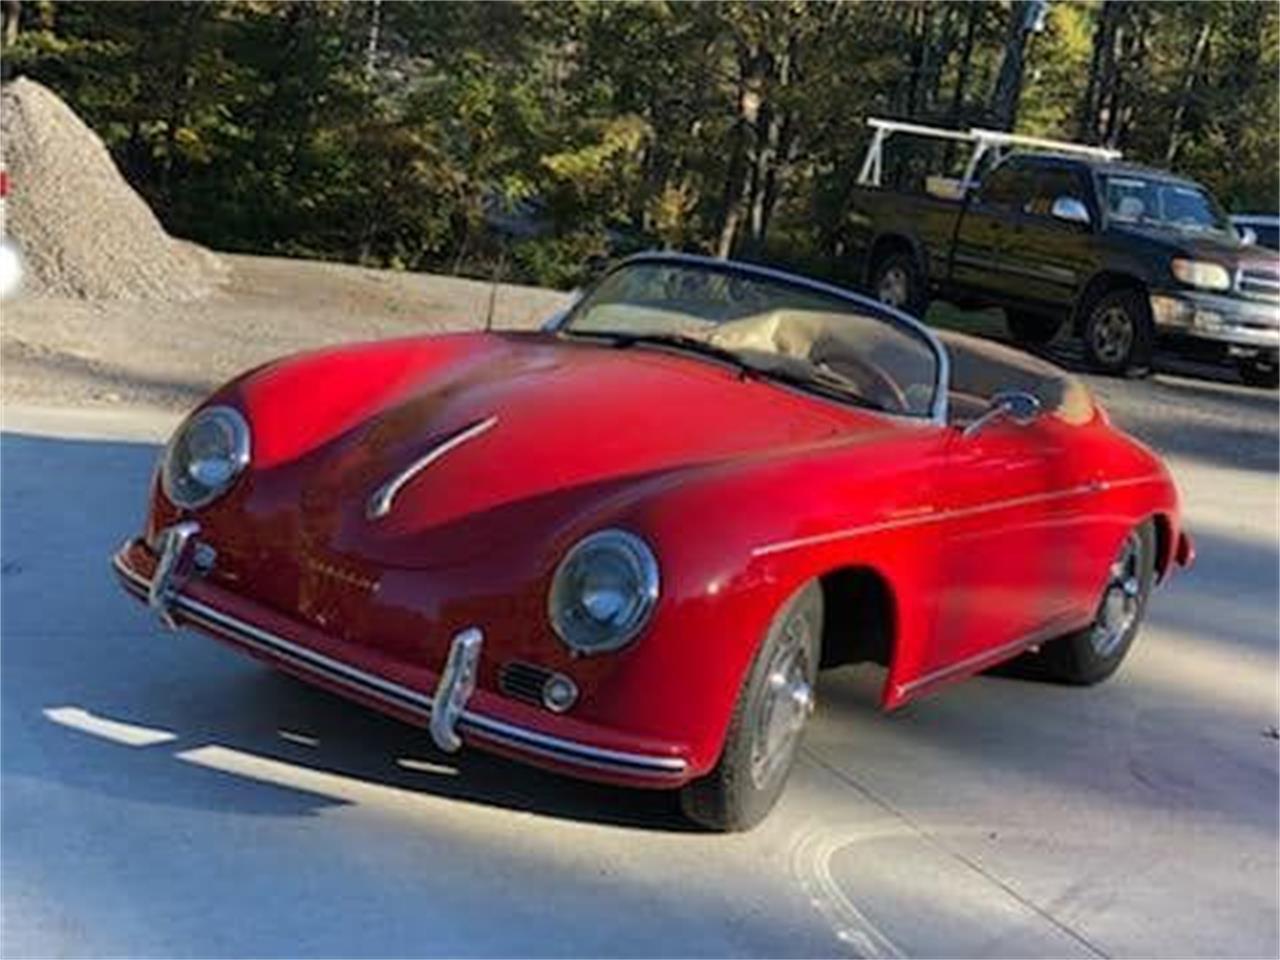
pixel 163 797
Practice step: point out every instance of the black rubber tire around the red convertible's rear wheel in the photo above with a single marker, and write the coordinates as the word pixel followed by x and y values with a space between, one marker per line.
pixel 1084 659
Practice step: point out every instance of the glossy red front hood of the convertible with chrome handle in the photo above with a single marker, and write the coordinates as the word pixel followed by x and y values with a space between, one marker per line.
pixel 525 436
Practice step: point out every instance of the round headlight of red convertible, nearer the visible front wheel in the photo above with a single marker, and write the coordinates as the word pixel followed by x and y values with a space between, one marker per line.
pixel 604 592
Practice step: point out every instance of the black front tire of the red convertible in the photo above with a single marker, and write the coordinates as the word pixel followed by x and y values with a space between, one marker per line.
pixel 746 787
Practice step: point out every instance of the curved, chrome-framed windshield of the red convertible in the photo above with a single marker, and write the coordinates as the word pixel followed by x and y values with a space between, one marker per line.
pixel 769 326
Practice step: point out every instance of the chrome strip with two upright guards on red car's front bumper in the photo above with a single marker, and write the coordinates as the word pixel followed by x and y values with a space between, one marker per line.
pixel 447 714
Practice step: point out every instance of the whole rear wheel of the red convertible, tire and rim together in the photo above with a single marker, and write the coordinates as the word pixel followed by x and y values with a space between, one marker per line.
pixel 1095 653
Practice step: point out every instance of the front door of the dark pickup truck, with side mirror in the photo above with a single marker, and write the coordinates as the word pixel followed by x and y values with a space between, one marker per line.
pixel 1052 258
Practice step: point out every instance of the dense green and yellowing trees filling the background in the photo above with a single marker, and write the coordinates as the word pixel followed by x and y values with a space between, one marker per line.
pixel 542 136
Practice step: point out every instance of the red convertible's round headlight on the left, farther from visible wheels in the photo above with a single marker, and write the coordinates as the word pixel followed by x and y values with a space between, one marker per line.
pixel 205 456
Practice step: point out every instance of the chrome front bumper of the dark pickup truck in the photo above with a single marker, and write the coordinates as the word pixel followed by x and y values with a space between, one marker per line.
pixel 1246 327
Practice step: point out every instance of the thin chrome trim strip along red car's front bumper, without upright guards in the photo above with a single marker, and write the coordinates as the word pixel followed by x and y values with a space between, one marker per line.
pixel 470 723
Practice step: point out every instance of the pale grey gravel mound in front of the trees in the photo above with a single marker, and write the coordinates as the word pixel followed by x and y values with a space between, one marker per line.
pixel 84 232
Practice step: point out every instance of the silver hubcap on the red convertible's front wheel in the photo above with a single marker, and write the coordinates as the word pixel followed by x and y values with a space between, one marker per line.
pixel 787 705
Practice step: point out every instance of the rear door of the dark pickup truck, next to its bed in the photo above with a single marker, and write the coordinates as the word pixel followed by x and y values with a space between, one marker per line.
pixel 981 258
